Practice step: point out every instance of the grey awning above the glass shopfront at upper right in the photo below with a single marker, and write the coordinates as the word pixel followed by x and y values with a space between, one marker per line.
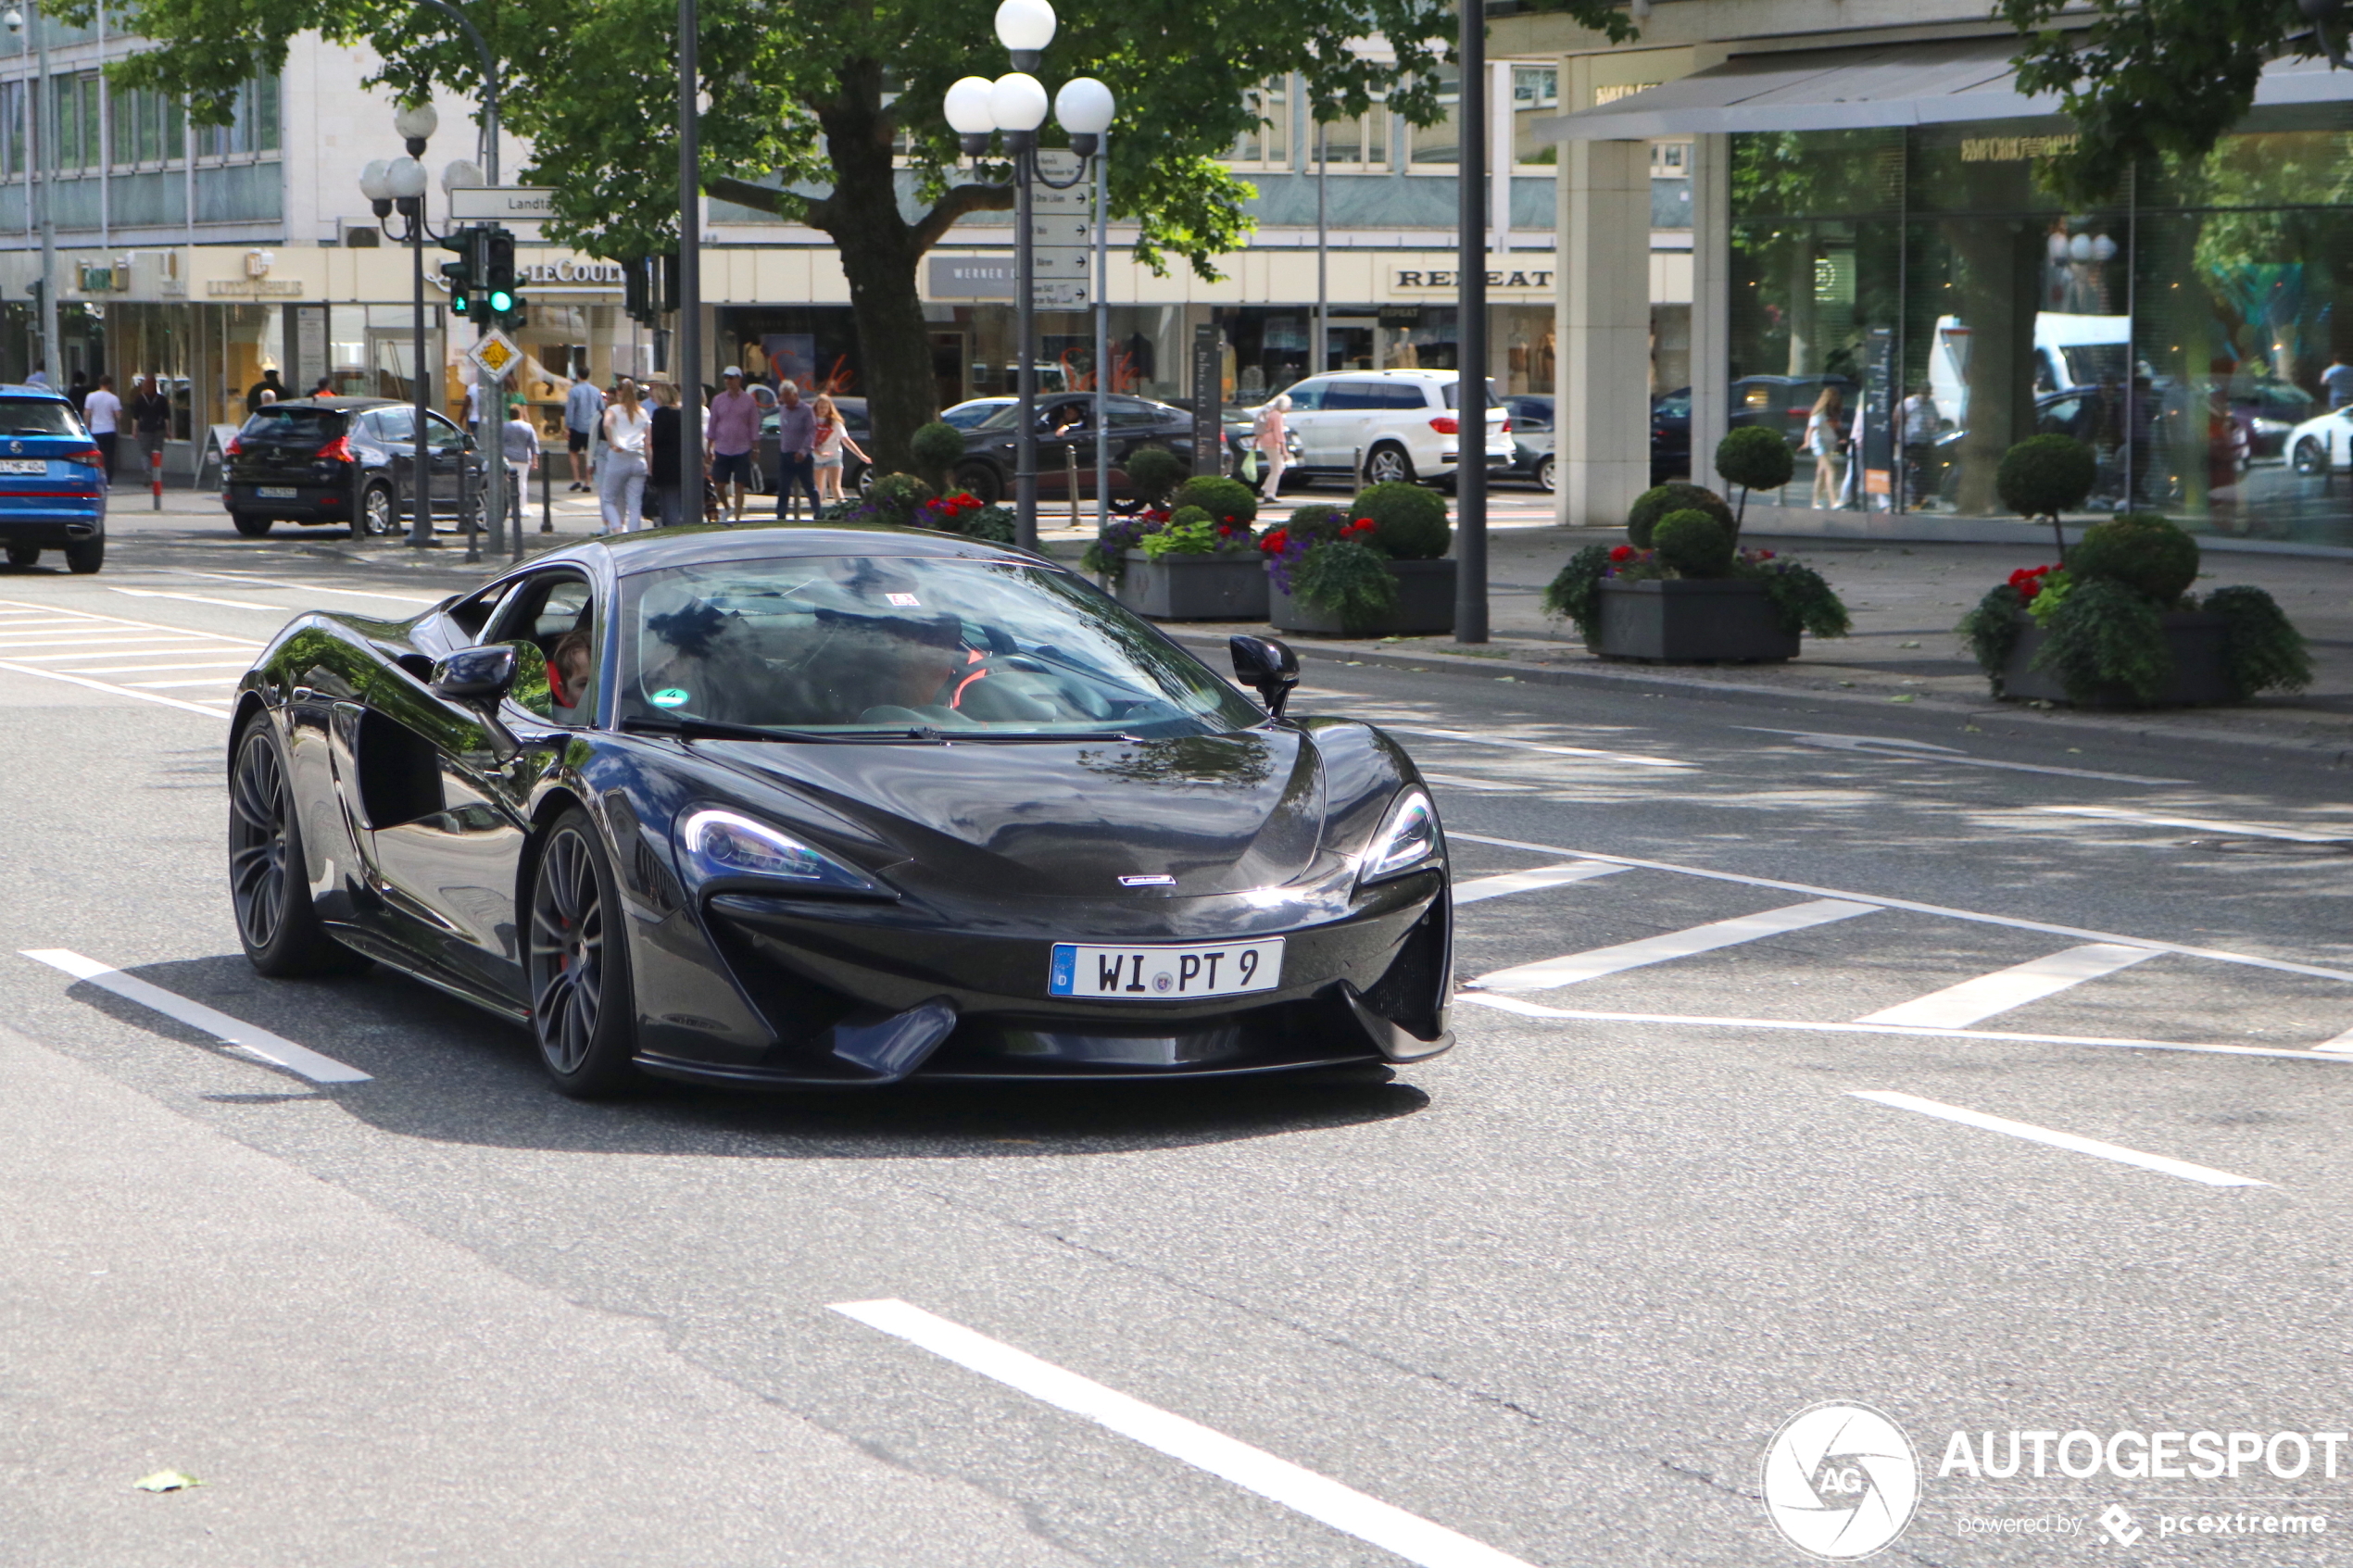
pixel 1834 91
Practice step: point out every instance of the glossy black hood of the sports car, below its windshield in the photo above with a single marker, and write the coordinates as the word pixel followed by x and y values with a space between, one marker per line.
pixel 1218 815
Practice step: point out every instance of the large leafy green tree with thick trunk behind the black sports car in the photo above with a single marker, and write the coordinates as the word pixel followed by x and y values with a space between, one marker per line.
pixel 832 116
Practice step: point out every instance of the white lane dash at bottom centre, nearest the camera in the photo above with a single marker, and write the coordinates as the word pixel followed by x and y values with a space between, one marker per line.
pixel 1255 1470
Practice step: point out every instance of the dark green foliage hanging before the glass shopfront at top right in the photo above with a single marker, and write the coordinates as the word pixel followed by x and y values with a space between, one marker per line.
pixel 2147 79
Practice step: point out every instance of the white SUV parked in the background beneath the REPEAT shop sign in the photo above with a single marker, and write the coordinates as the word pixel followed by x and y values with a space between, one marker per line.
pixel 1389 424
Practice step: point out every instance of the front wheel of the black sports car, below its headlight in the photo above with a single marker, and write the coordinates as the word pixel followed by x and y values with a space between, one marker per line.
pixel 585 1012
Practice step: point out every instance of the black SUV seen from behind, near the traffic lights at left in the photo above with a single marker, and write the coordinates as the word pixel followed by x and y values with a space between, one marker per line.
pixel 345 460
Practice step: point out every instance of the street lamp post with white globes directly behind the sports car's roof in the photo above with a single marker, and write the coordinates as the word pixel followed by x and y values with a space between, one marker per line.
pixel 1015 107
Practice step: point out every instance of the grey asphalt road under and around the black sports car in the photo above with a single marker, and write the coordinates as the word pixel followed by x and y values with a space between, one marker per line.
pixel 1545 1299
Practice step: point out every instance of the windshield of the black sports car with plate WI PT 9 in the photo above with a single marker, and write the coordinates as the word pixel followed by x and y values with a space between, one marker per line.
pixel 851 645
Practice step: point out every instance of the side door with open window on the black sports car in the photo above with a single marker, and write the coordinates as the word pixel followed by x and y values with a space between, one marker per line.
pixel 448 815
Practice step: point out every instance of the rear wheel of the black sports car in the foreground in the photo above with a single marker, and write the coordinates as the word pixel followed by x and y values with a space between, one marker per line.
pixel 269 885
